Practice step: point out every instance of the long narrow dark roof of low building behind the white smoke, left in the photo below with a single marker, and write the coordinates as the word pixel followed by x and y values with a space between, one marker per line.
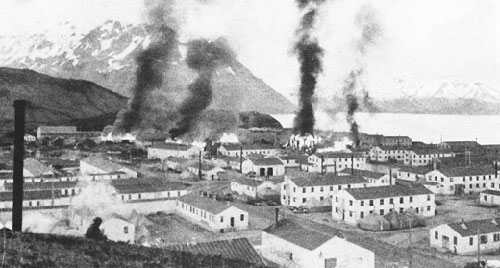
pixel 129 186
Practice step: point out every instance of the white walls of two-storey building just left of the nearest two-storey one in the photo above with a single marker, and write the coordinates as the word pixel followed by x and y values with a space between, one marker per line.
pixel 293 195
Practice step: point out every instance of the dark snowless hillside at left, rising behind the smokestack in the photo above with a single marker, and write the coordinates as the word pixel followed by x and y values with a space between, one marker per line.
pixel 56 101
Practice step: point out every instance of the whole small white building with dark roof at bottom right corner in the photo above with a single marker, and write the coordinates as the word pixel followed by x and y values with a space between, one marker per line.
pixel 464 237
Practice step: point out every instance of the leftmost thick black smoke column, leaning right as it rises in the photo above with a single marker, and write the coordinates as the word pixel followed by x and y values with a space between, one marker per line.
pixel 151 63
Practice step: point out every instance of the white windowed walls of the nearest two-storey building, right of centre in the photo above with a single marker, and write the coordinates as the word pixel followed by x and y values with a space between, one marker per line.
pixel 347 208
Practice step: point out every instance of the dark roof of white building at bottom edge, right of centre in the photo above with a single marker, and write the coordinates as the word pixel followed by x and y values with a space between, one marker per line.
pixel 298 235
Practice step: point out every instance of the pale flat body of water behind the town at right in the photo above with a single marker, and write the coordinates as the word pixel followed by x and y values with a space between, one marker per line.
pixel 420 127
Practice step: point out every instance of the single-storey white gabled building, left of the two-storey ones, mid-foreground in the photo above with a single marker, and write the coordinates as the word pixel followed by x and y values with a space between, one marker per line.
pixel 211 214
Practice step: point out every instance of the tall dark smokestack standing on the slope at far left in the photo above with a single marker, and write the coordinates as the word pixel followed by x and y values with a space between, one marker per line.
pixel 17 176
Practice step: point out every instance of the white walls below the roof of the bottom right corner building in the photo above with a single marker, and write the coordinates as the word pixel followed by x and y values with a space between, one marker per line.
pixel 463 245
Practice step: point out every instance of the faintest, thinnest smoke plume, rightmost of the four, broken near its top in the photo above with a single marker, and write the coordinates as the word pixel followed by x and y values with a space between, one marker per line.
pixel 370 32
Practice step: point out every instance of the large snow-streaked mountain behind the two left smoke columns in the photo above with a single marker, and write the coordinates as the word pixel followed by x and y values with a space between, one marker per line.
pixel 106 55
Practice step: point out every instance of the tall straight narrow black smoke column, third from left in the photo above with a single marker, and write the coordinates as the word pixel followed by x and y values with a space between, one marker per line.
pixel 309 54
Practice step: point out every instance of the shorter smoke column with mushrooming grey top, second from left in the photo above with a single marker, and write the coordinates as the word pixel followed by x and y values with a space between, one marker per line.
pixel 204 57
